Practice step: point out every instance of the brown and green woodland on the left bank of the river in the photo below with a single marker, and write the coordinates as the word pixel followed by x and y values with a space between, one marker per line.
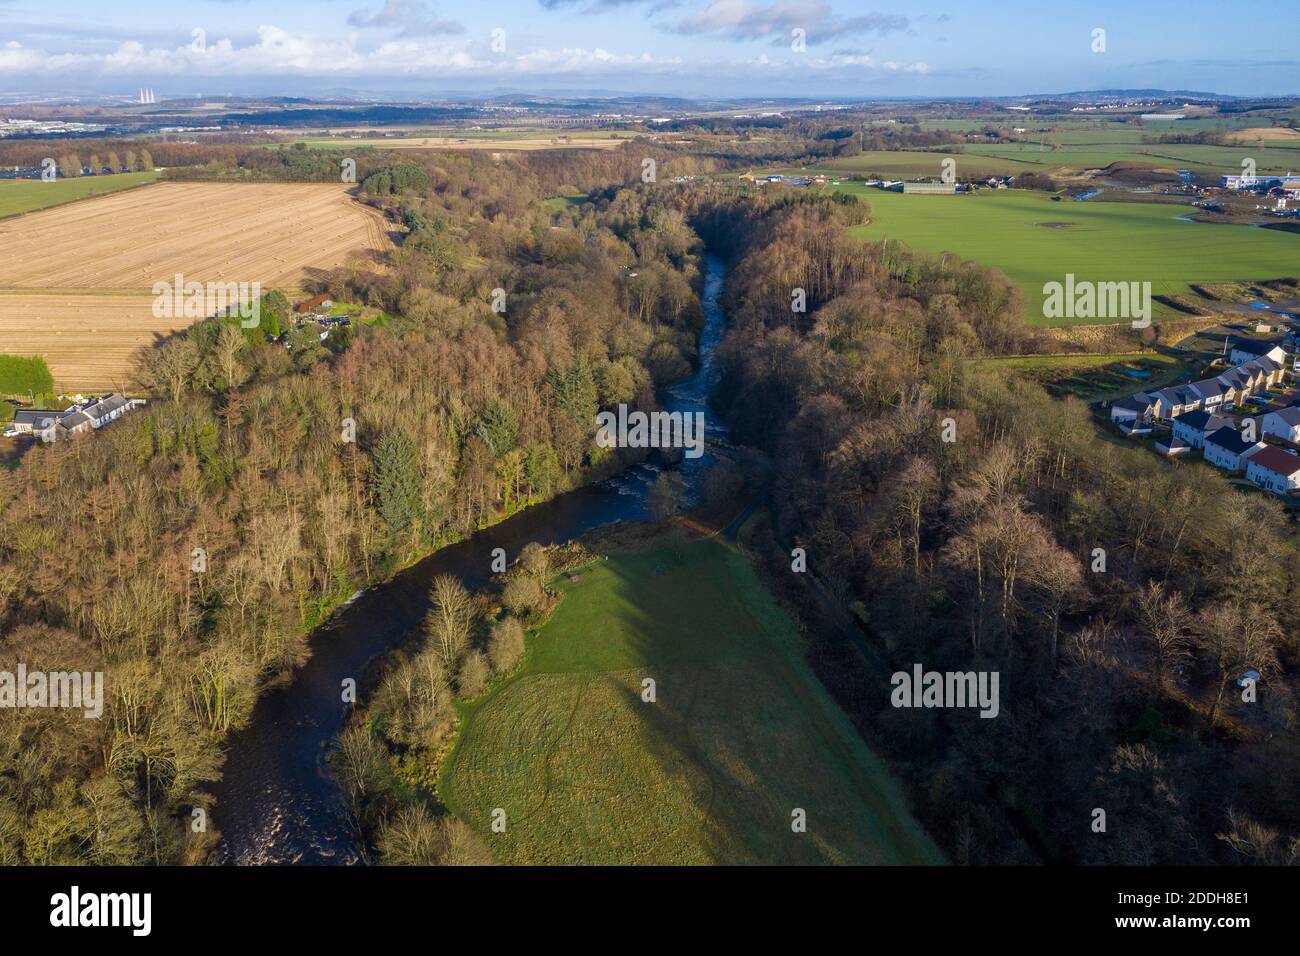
pixel 188 551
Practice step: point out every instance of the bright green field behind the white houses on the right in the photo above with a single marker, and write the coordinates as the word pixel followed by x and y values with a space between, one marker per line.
pixel 1035 241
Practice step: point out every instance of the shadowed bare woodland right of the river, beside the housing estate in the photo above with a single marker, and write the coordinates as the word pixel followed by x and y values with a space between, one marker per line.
pixel 967 521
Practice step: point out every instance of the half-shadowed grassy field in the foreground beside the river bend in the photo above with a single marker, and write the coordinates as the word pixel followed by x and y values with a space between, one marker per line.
pixel 740 736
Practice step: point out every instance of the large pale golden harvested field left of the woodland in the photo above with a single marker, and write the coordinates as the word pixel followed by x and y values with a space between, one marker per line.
pixel 76 283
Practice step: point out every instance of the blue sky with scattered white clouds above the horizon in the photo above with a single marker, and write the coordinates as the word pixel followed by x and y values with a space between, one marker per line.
pixel 713 49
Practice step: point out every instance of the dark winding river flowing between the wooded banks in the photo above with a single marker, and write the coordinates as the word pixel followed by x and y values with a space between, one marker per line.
pixel 278 802
